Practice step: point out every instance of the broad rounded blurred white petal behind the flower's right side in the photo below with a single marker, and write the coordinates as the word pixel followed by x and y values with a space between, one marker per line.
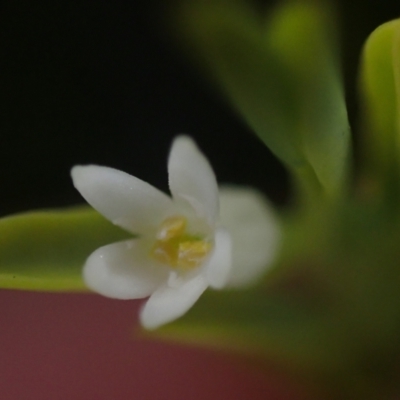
pixel 254 230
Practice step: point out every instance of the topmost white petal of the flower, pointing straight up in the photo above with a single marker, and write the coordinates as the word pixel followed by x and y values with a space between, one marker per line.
pixel 192 180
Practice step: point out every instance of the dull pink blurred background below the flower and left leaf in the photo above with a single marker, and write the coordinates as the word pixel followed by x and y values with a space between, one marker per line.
pixel 81 347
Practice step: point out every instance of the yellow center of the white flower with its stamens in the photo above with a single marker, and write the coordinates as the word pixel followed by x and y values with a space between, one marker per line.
pixel 177 248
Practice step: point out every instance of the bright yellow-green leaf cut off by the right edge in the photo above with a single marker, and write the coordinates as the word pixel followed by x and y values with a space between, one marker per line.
pixel 380 80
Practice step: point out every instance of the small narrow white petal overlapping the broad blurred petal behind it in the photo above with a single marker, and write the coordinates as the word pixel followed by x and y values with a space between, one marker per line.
pixel 219 266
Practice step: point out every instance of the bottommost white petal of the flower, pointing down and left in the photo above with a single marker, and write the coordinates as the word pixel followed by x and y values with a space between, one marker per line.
pixel 169 303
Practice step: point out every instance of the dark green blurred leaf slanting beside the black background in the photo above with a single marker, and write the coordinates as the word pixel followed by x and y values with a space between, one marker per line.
pixel 228 39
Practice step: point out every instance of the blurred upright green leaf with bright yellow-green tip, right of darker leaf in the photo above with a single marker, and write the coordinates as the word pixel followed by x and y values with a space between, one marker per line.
pixel 301 35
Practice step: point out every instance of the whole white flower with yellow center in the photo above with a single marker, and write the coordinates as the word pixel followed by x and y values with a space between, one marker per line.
pixel 183 246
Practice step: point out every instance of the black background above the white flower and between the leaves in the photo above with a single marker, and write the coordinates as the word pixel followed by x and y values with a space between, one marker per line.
pixel 100 82
